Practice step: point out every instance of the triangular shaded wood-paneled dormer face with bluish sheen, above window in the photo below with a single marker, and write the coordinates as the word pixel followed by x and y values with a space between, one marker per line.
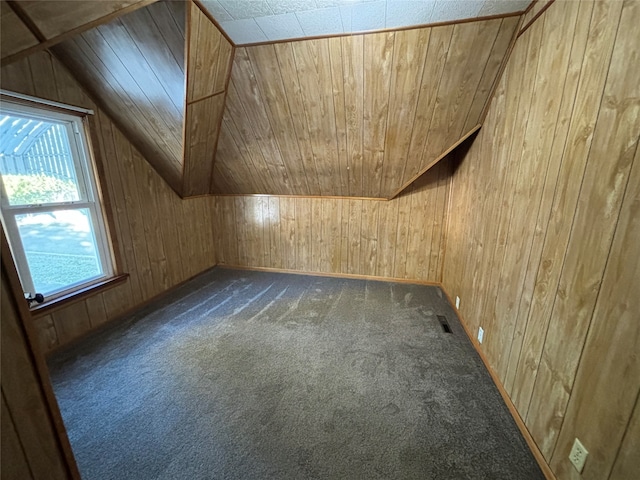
pixel 135 67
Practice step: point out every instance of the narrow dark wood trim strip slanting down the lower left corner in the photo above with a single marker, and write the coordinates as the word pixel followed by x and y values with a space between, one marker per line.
pixel 41 370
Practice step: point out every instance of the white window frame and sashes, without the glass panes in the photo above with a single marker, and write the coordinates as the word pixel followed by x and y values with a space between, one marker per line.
pixel 76 123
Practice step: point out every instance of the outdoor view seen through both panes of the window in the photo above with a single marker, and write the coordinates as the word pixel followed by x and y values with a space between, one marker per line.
pixel 43 196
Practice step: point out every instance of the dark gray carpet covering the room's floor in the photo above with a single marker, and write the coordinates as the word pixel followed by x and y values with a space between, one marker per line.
pixel 251 375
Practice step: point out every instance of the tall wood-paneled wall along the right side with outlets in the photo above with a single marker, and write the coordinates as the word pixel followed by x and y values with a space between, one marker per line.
pixel 543 239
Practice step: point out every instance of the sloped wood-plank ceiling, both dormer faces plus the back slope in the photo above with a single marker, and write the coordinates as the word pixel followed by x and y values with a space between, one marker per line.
pixel 359 116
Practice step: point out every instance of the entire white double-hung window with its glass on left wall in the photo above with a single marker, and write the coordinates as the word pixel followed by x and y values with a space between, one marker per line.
pixel 50 204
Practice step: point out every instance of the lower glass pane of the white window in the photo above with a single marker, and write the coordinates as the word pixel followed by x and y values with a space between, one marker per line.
pixel 60 247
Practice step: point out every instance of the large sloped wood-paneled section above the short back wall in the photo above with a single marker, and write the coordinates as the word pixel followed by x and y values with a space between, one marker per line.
pixel 359 115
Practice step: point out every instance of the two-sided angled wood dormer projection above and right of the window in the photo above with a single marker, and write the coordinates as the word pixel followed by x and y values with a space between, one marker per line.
pixel 136 67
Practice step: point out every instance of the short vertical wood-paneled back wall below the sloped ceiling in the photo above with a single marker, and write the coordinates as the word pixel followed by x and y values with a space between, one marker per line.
pixel 400 238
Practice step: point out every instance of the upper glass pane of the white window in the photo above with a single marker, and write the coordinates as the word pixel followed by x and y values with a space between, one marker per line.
pixel 36 161
